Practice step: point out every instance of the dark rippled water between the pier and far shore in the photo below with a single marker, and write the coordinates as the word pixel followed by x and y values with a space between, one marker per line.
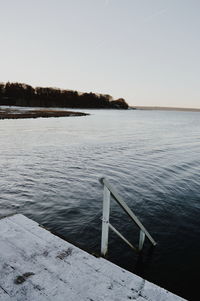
pixel 50 168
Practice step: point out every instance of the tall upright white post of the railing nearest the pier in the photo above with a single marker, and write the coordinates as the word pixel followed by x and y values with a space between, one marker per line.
pixel 105 221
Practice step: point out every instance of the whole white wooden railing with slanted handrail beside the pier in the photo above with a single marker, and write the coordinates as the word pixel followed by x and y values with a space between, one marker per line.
pixel 108 192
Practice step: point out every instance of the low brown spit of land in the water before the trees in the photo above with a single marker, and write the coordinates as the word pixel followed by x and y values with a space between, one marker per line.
pixel 19 114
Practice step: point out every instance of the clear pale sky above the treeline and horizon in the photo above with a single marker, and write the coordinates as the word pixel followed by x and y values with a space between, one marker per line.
pixel 146 51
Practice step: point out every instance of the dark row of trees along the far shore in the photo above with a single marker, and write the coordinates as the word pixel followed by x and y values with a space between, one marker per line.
pixel 18 94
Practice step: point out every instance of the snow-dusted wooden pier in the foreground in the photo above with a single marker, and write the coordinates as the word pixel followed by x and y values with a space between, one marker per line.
pixel 36 265
